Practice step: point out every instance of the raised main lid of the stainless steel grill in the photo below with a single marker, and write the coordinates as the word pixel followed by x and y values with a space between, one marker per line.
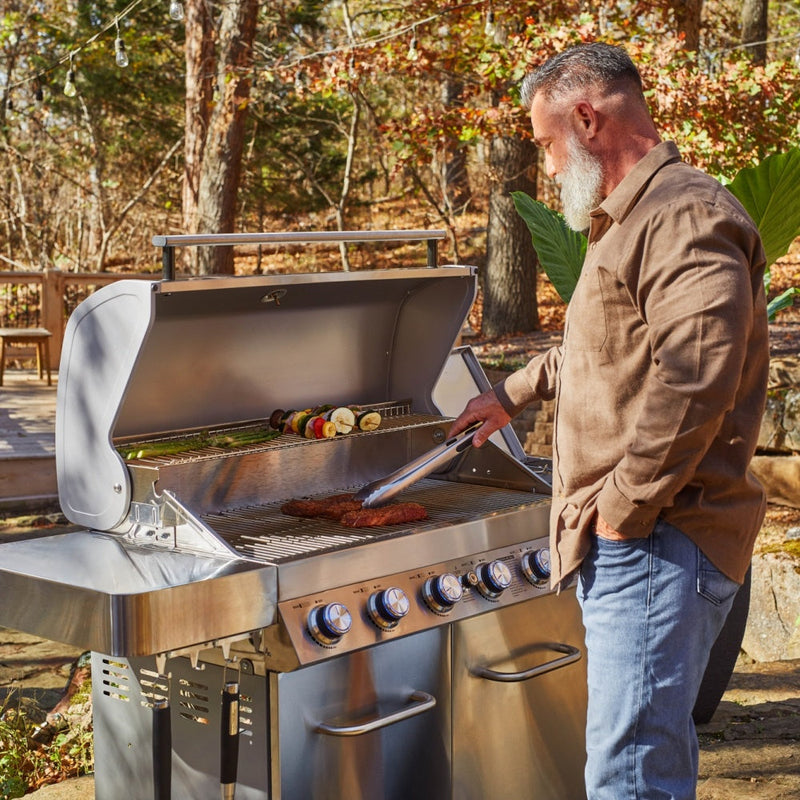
pixel 143 358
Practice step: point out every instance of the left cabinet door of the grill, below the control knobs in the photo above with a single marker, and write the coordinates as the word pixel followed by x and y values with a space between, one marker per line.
pixel 406 759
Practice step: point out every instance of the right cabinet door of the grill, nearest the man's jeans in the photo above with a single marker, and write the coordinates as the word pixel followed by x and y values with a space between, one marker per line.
pixel 523 737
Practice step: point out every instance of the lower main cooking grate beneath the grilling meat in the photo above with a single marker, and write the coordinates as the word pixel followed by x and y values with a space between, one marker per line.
pixel 263 533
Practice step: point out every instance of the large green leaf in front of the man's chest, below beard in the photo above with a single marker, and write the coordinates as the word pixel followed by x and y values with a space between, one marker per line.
pixel 560 249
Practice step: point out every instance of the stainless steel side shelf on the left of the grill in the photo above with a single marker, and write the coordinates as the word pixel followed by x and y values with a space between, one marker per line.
pixel 92 591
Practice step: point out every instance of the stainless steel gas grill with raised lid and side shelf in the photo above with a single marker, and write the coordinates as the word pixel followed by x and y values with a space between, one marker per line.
pixel 282 657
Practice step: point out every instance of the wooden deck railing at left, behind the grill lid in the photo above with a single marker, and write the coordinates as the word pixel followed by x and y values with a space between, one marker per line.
pixel 46 299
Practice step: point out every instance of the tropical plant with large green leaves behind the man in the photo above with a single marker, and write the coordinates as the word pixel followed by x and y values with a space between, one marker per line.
pixel 769 192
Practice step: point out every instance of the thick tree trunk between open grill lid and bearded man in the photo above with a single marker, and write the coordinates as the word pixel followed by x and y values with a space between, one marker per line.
pixel 509 284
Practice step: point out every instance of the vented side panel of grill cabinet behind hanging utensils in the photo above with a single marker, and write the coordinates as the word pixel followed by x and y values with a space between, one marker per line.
pixel 122 696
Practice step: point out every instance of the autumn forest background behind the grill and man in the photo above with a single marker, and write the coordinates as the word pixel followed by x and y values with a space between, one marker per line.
pixel 121 120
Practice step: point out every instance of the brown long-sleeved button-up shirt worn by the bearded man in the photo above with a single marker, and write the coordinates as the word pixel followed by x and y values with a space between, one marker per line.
pixel 661 378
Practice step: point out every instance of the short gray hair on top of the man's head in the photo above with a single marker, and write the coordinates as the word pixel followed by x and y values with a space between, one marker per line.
pixel 595 64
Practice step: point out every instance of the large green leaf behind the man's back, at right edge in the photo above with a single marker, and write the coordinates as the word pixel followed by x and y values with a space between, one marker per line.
pixel 770 192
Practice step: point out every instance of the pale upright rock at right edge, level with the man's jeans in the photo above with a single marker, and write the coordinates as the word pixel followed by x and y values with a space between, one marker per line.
pixel 773 631
